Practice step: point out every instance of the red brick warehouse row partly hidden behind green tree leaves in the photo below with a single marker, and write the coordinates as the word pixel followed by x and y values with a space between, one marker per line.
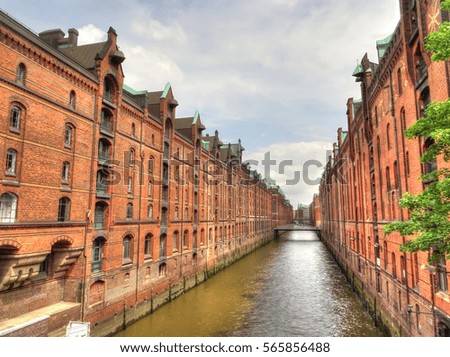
pixel 372 165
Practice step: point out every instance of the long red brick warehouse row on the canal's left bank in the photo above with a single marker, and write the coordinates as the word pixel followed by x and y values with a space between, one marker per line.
pixel 110 206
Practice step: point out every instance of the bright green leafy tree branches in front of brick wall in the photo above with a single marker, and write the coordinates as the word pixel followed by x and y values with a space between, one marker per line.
pixel 430 210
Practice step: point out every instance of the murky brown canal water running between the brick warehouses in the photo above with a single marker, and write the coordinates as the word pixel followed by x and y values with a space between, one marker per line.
pixel 289 287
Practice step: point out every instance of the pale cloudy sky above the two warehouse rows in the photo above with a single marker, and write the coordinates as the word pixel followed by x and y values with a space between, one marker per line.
pixel 275 73
